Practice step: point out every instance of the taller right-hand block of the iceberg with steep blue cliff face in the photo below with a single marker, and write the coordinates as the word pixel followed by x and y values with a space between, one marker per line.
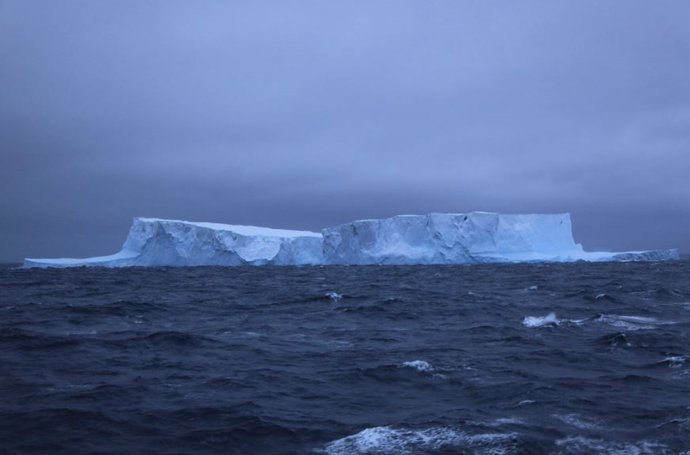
pixel 440 238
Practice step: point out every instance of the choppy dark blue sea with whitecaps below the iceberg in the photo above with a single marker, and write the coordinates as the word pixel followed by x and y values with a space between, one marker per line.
pixel 486 359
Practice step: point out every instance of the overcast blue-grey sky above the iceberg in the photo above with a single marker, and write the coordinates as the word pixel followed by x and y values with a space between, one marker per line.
pixel 303 114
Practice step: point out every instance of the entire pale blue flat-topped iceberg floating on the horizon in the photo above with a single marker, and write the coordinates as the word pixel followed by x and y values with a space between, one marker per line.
pixel 436 238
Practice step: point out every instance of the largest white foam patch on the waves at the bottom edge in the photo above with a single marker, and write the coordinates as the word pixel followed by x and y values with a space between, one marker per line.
pixel 394 441
